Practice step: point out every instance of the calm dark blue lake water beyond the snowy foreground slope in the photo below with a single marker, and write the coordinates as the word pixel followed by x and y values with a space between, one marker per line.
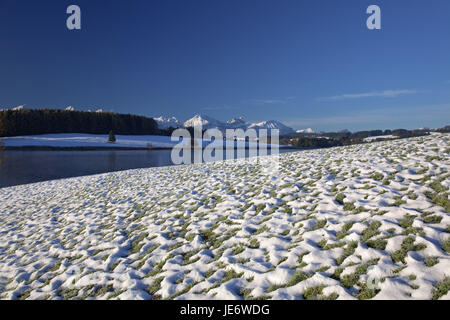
pixel 22 167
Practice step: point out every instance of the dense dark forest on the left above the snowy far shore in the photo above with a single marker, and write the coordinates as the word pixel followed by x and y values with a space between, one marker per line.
pixel 44 121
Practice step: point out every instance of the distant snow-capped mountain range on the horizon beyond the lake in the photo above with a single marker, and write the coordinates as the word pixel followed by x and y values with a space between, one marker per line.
pixel 209 123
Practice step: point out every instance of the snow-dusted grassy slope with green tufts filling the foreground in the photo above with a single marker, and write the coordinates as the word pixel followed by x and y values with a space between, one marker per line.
pixel 363 221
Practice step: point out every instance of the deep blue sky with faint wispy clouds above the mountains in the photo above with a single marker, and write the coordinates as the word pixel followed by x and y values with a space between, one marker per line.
pixel 307 63
